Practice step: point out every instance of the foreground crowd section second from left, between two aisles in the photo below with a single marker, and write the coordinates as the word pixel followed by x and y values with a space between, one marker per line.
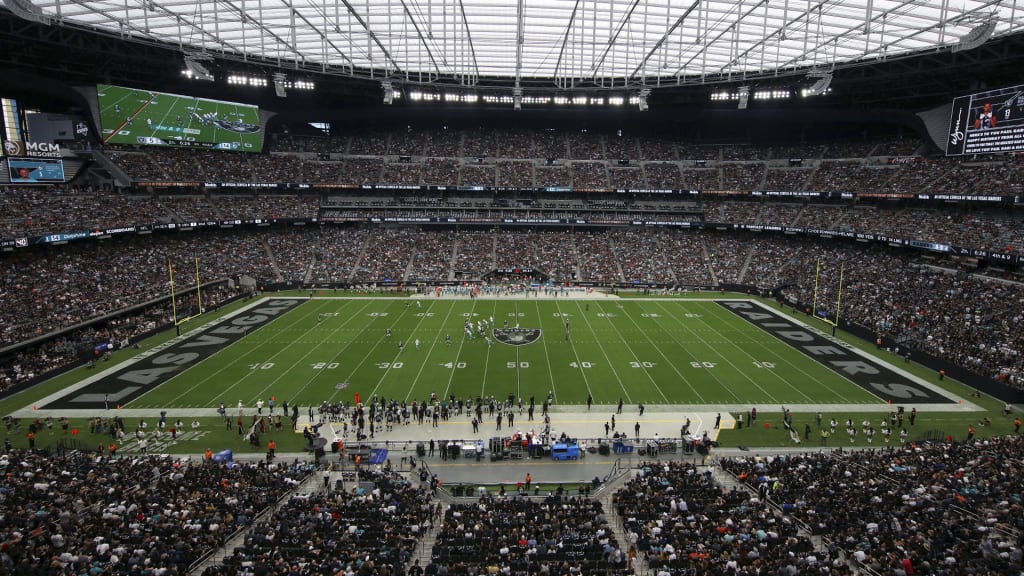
pixel 372 528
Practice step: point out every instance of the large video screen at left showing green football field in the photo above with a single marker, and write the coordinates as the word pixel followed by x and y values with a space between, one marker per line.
pixel 135 116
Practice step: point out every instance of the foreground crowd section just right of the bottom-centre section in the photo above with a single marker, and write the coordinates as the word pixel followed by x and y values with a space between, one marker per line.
pixel 685 523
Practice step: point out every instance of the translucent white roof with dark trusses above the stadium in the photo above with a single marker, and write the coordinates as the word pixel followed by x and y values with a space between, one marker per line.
pixel 557 44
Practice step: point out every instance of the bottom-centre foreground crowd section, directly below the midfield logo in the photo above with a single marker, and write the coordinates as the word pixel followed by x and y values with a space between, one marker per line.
pixel 557 537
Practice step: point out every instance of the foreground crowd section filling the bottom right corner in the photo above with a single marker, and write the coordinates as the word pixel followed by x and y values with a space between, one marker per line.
pixel 951 508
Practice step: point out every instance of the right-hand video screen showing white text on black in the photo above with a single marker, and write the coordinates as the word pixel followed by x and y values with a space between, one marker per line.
pixel 990 122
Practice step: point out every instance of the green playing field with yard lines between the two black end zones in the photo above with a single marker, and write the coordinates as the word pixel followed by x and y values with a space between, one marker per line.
pixel 652 352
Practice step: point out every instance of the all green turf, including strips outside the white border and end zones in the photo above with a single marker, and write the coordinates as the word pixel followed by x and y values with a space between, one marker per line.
pixel 678 355
